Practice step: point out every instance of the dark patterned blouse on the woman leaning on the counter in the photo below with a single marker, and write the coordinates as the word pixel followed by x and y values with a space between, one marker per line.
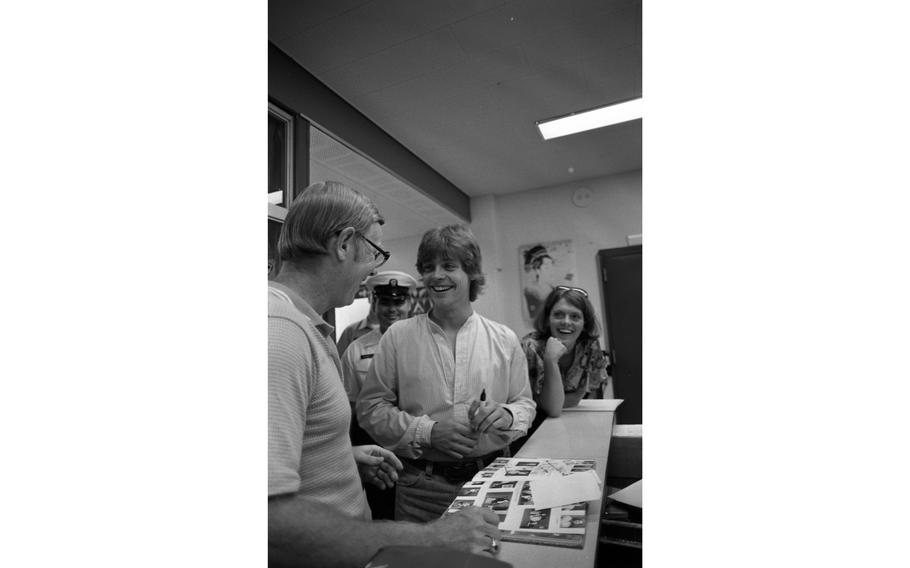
pixel 587 372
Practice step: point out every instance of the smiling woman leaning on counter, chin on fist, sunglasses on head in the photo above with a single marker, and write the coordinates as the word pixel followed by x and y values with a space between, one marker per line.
pixel 565 360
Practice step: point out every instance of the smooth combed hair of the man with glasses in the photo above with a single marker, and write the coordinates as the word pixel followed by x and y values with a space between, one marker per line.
pixel 320 212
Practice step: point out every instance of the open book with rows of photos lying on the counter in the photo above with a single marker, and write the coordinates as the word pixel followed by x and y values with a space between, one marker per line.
pixel 505 487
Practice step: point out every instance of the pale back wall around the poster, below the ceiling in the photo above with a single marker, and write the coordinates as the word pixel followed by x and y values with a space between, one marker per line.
pixel 505 222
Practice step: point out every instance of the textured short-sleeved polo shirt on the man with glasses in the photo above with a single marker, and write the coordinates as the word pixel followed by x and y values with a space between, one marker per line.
pixel 309 415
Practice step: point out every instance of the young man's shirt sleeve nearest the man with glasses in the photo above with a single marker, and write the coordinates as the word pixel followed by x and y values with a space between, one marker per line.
pixel 378 411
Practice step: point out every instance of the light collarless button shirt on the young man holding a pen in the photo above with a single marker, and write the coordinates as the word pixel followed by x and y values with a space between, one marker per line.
pixel 415 380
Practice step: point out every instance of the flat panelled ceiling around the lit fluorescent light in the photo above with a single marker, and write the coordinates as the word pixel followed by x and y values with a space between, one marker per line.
pixel 460 84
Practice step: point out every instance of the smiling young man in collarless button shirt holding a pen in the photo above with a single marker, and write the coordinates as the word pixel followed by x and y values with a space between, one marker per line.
pixel 447 390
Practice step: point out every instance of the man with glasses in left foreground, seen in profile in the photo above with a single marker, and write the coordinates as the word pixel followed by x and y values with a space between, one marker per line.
pixel 318 515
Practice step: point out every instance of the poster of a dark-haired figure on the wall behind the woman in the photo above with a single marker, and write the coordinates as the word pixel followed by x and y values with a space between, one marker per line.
pixel 544 266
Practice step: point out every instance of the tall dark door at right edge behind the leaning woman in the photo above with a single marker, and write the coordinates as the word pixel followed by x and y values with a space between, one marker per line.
pixel 620 269
